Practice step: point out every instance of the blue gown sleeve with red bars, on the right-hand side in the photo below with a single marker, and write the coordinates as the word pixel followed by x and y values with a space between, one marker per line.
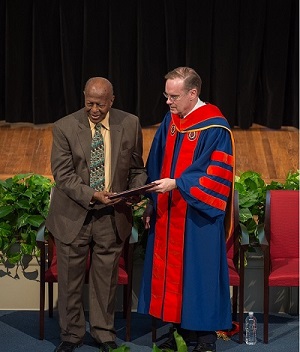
pixel 206 183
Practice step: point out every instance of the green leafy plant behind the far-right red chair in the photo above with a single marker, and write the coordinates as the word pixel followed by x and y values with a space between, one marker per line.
pixel 252 191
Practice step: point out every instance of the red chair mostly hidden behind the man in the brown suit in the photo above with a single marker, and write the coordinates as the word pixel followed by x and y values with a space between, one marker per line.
pixel 48 274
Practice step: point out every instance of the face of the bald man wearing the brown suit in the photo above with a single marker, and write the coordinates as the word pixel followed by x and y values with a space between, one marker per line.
pixel 97 103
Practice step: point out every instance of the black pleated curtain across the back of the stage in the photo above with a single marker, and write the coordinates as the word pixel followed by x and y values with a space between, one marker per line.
pixel 246 51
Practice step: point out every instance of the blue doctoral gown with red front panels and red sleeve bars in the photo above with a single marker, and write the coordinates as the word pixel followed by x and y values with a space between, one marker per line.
pixel 185 278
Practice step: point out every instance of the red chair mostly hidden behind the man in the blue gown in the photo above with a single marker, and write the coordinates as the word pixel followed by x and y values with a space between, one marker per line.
pixel 236 248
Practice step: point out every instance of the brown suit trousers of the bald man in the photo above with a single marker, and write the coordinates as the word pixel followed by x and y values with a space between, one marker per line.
pixel 98 237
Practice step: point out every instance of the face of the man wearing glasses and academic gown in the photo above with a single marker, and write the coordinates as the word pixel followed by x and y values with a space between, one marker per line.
pixel 180 100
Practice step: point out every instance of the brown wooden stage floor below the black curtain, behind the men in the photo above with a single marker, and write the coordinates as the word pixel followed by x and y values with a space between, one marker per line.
pixel 272 153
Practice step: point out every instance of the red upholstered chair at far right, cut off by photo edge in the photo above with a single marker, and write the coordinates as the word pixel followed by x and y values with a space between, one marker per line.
pixel 281 244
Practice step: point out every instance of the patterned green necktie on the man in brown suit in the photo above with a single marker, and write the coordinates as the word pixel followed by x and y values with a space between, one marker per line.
pixel 97 180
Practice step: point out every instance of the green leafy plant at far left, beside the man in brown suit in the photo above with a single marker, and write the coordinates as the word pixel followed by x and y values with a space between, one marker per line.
pixel 24 203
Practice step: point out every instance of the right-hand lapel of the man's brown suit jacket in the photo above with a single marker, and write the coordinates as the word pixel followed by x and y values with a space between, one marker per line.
pixel 116 130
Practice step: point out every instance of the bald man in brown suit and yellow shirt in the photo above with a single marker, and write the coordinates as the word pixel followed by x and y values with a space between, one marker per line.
pixel 81 217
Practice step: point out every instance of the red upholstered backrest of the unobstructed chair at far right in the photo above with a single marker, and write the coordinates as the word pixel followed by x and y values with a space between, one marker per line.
pixel 282 222
